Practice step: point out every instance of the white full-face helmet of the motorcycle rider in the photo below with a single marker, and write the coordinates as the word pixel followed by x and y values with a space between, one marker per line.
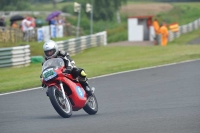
pixel 50 49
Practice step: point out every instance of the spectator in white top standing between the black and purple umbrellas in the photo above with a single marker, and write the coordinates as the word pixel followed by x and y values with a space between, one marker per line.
pixel 25 27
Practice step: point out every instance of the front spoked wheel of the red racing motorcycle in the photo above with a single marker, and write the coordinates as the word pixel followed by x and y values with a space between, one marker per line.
pixel 61 105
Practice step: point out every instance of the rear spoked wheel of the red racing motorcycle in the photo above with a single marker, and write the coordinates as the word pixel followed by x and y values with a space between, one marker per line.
pixel 91 106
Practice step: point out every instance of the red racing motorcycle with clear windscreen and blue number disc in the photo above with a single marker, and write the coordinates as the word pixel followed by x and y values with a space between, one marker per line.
pixel 66 93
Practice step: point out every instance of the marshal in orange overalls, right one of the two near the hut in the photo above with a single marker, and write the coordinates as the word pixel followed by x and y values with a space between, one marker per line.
pixel 164 33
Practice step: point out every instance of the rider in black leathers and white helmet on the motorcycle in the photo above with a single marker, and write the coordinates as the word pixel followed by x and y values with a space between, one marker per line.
pixel 50 49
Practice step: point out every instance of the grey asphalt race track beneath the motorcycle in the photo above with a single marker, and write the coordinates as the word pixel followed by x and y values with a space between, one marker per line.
pixel 158 100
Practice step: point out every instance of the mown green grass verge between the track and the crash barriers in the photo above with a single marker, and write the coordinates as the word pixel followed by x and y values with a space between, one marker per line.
pixel 102 60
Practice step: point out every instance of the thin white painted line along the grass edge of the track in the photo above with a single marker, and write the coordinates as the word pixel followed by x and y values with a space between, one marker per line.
pixel 146 68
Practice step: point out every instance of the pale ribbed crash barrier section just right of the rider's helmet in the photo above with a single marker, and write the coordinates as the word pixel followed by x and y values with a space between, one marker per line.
pixel 76 45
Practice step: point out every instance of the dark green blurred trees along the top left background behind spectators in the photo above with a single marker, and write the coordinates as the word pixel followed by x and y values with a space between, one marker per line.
pixel 102 9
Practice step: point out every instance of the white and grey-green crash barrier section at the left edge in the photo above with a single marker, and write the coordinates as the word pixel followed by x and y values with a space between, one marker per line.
pixel 15 56
